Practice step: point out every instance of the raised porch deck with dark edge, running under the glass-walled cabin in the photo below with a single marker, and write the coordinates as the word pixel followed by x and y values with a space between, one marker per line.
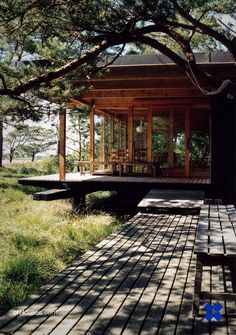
pixel 90 183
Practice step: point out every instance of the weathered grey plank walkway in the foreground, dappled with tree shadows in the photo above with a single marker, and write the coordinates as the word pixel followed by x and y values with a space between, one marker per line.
pixel 138 281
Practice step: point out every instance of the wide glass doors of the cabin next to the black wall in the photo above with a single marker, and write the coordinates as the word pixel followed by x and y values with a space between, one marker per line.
pixel 181 141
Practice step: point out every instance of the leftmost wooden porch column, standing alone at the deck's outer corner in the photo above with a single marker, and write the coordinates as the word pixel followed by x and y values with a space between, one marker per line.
pixel 62 145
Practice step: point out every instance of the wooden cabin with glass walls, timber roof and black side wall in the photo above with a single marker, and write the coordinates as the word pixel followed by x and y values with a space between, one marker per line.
pixel 149 118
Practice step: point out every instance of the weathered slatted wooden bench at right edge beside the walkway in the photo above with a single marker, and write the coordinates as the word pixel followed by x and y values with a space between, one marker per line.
pixel 215 244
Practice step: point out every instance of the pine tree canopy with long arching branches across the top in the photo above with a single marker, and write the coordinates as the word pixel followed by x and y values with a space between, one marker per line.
pixel 48 46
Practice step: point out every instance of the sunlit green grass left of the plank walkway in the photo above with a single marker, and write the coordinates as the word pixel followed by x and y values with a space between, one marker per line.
pixel 38 239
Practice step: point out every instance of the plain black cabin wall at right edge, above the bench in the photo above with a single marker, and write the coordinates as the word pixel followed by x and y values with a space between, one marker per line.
pixel 223 119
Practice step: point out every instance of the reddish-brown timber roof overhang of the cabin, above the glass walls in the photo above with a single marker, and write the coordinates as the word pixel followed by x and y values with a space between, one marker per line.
pixel 143 84
